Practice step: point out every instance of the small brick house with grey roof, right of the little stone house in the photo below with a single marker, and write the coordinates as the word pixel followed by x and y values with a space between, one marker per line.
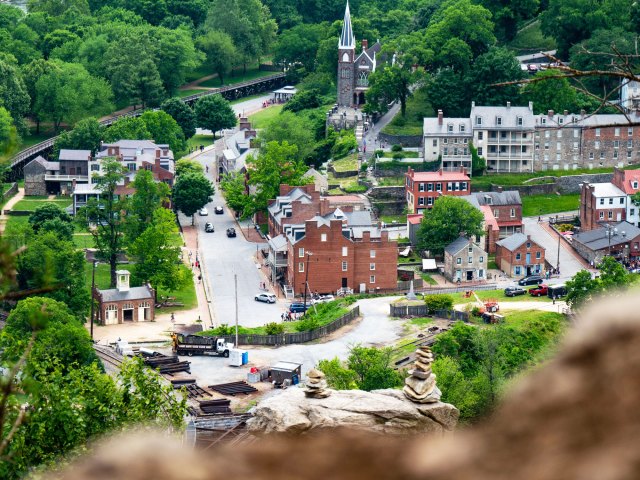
pixel 519 256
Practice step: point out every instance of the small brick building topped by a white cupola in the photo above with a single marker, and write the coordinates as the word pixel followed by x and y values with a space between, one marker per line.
pixel 123 303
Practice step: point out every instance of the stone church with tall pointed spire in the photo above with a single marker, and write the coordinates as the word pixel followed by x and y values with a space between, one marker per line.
pixel 354 71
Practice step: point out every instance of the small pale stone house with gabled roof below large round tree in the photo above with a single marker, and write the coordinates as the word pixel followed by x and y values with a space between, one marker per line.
pixel 465 261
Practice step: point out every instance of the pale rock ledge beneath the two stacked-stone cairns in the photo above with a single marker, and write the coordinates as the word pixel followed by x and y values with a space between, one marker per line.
pixel 382 411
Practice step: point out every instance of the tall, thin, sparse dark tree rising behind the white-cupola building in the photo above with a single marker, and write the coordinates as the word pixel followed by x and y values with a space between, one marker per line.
pixel 106 214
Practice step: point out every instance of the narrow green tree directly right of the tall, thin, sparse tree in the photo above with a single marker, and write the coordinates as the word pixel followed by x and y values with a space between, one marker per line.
pixel 149 195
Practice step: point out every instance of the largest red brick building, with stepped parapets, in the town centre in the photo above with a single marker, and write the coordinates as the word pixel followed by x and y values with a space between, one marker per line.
pixel 340 251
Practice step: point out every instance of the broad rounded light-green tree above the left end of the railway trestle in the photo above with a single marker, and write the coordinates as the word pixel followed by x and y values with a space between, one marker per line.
pixel 70 93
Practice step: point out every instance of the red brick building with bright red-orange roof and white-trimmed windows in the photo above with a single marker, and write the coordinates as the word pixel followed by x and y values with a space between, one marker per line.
pixel 423 188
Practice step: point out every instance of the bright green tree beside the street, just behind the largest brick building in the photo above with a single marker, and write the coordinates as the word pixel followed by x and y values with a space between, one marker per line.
pixel 275 164
